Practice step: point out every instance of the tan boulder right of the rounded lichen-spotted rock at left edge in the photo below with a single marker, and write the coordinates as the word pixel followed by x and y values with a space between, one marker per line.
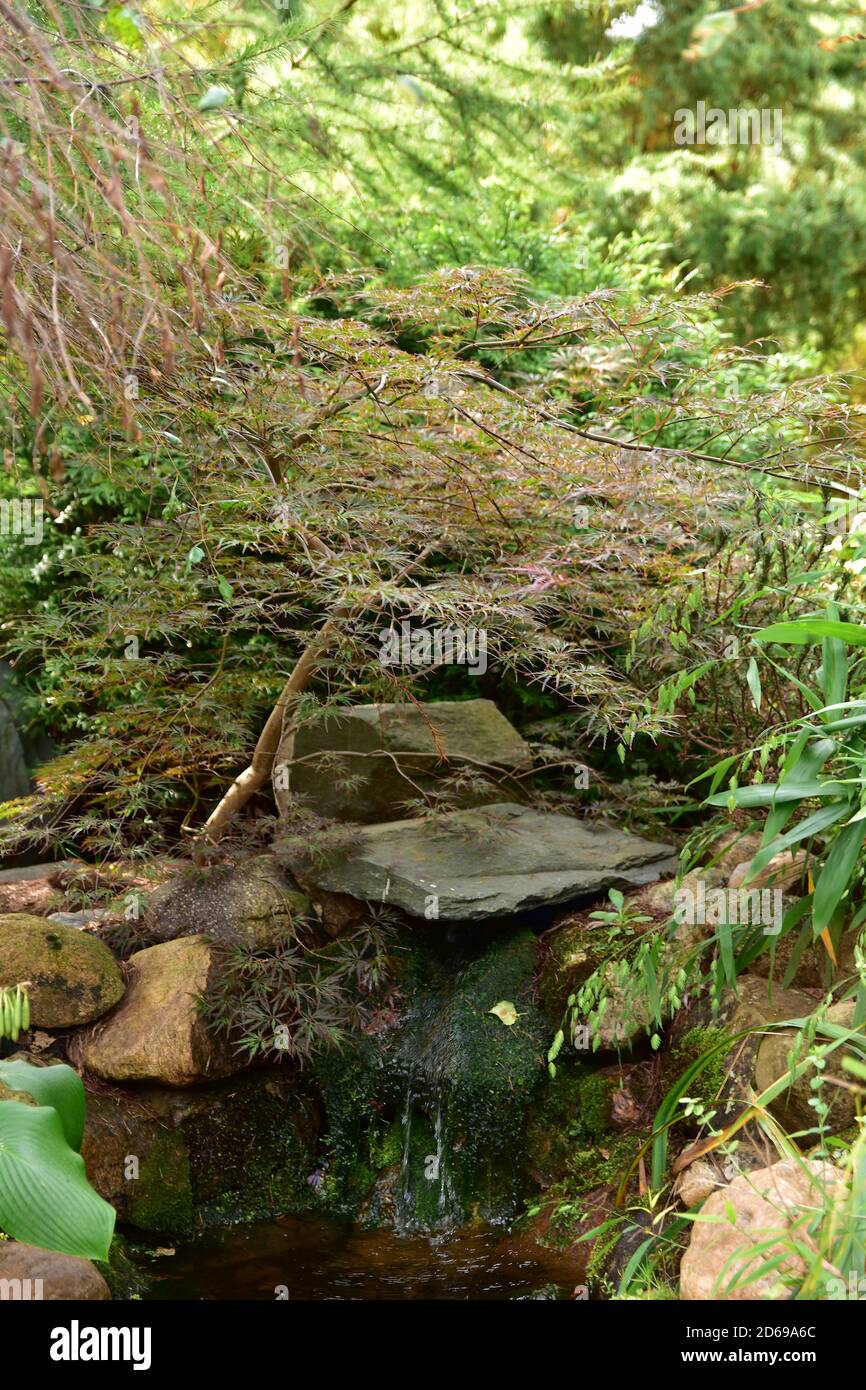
pixel 158 1033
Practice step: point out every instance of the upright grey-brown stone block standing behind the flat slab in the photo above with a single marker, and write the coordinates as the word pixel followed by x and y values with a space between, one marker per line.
pixel 366 764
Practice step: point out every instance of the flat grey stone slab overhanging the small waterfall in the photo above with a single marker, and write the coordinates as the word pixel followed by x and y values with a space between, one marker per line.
pixel 487 862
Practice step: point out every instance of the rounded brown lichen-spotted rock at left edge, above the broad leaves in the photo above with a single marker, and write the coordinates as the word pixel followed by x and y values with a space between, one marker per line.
pixel 73 976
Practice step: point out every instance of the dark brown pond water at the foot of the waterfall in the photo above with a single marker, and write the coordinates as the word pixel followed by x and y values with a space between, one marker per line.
pixel 322 1260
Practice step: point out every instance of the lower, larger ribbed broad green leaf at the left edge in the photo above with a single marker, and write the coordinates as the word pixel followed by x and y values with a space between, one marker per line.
pixel 45 1196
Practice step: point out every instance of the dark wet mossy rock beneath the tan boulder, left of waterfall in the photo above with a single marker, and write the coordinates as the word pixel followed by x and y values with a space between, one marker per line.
pixel 168 1160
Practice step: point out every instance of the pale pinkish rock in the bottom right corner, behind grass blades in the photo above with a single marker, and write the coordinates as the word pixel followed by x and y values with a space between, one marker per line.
pixel 767 1207
